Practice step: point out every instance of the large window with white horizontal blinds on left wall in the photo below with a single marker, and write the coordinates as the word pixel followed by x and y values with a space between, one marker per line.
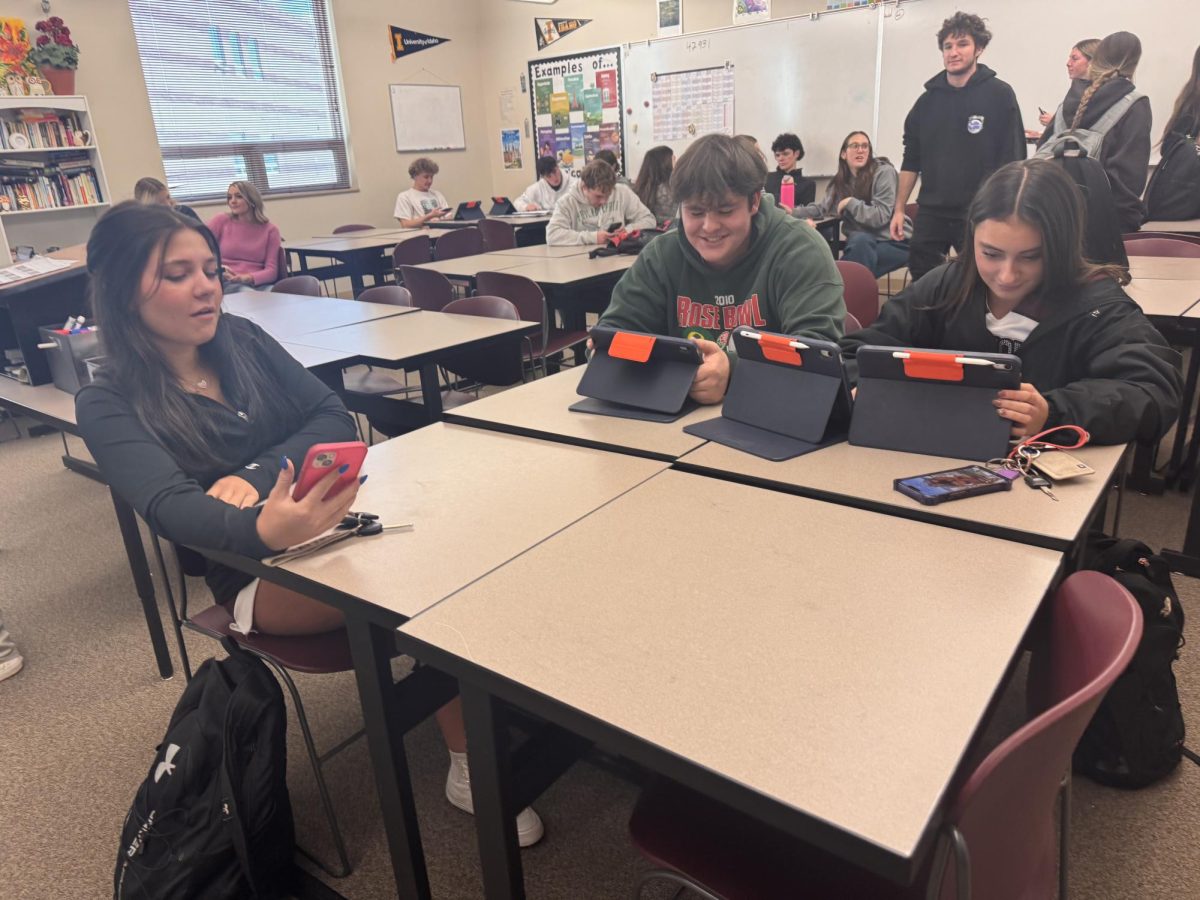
pixel 244 91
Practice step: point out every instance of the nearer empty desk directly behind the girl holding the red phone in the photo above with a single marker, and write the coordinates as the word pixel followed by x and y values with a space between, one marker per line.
pixel 417 341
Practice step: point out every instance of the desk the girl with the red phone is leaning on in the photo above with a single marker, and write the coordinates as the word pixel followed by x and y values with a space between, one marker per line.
pixel 469 520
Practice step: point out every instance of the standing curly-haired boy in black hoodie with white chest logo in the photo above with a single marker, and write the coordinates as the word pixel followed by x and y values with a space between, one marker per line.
pixel 965 127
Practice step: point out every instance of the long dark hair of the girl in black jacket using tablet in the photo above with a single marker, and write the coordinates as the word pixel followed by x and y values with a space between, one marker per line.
pixel 1041 195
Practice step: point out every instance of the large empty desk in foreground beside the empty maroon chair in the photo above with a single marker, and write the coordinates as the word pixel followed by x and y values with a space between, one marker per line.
pixel 721 640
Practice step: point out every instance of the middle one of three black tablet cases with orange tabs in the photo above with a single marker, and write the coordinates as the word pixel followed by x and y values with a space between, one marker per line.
pixel 783 401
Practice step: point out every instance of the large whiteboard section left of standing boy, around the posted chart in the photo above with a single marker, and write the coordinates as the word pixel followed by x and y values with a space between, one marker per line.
pixel 813 77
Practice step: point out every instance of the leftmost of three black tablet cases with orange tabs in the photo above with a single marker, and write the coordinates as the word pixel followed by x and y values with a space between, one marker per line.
pixel 638 376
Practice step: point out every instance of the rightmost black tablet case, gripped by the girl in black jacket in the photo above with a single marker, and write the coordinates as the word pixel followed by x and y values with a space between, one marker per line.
pixel 932 405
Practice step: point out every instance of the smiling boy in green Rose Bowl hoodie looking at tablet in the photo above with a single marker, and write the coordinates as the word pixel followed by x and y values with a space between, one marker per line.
pixel 735 259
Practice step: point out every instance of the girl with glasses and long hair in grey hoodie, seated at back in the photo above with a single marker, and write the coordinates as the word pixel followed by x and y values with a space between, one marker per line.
pixel 863 195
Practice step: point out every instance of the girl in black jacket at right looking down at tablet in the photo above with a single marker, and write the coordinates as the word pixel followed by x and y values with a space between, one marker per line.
pixel 1089 356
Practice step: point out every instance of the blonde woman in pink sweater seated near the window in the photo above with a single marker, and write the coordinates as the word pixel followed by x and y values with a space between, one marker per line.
pixel 250 244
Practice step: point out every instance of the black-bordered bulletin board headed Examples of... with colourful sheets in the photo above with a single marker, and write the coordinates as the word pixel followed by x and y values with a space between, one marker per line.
pixel 577 106
